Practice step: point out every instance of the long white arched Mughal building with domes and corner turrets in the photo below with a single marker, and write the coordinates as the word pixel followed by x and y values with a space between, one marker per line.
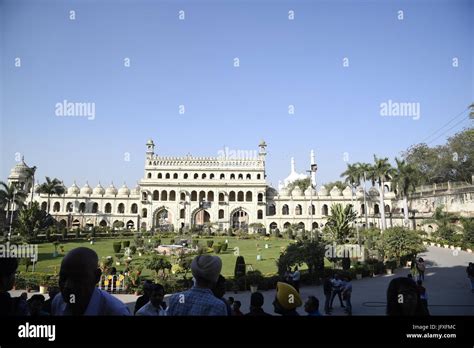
pixel 177 192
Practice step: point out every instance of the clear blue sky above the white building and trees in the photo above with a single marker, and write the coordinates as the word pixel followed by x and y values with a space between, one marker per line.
pixel 190 62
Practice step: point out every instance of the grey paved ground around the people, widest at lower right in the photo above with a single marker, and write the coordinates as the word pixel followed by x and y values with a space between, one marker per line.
pixel 445 280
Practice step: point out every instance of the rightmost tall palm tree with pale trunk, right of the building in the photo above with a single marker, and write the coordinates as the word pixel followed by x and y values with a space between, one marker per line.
pixel 405 179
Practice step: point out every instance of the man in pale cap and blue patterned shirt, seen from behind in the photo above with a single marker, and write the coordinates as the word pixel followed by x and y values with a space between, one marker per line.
pixel 199 300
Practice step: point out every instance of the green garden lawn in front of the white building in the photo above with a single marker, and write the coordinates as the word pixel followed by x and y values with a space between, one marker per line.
pixel 246 248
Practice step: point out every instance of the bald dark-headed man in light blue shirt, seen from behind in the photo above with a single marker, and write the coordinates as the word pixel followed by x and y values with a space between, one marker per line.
pixel 78 277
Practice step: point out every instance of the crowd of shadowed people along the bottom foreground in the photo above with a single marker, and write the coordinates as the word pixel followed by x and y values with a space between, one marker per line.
pixel 77 293
